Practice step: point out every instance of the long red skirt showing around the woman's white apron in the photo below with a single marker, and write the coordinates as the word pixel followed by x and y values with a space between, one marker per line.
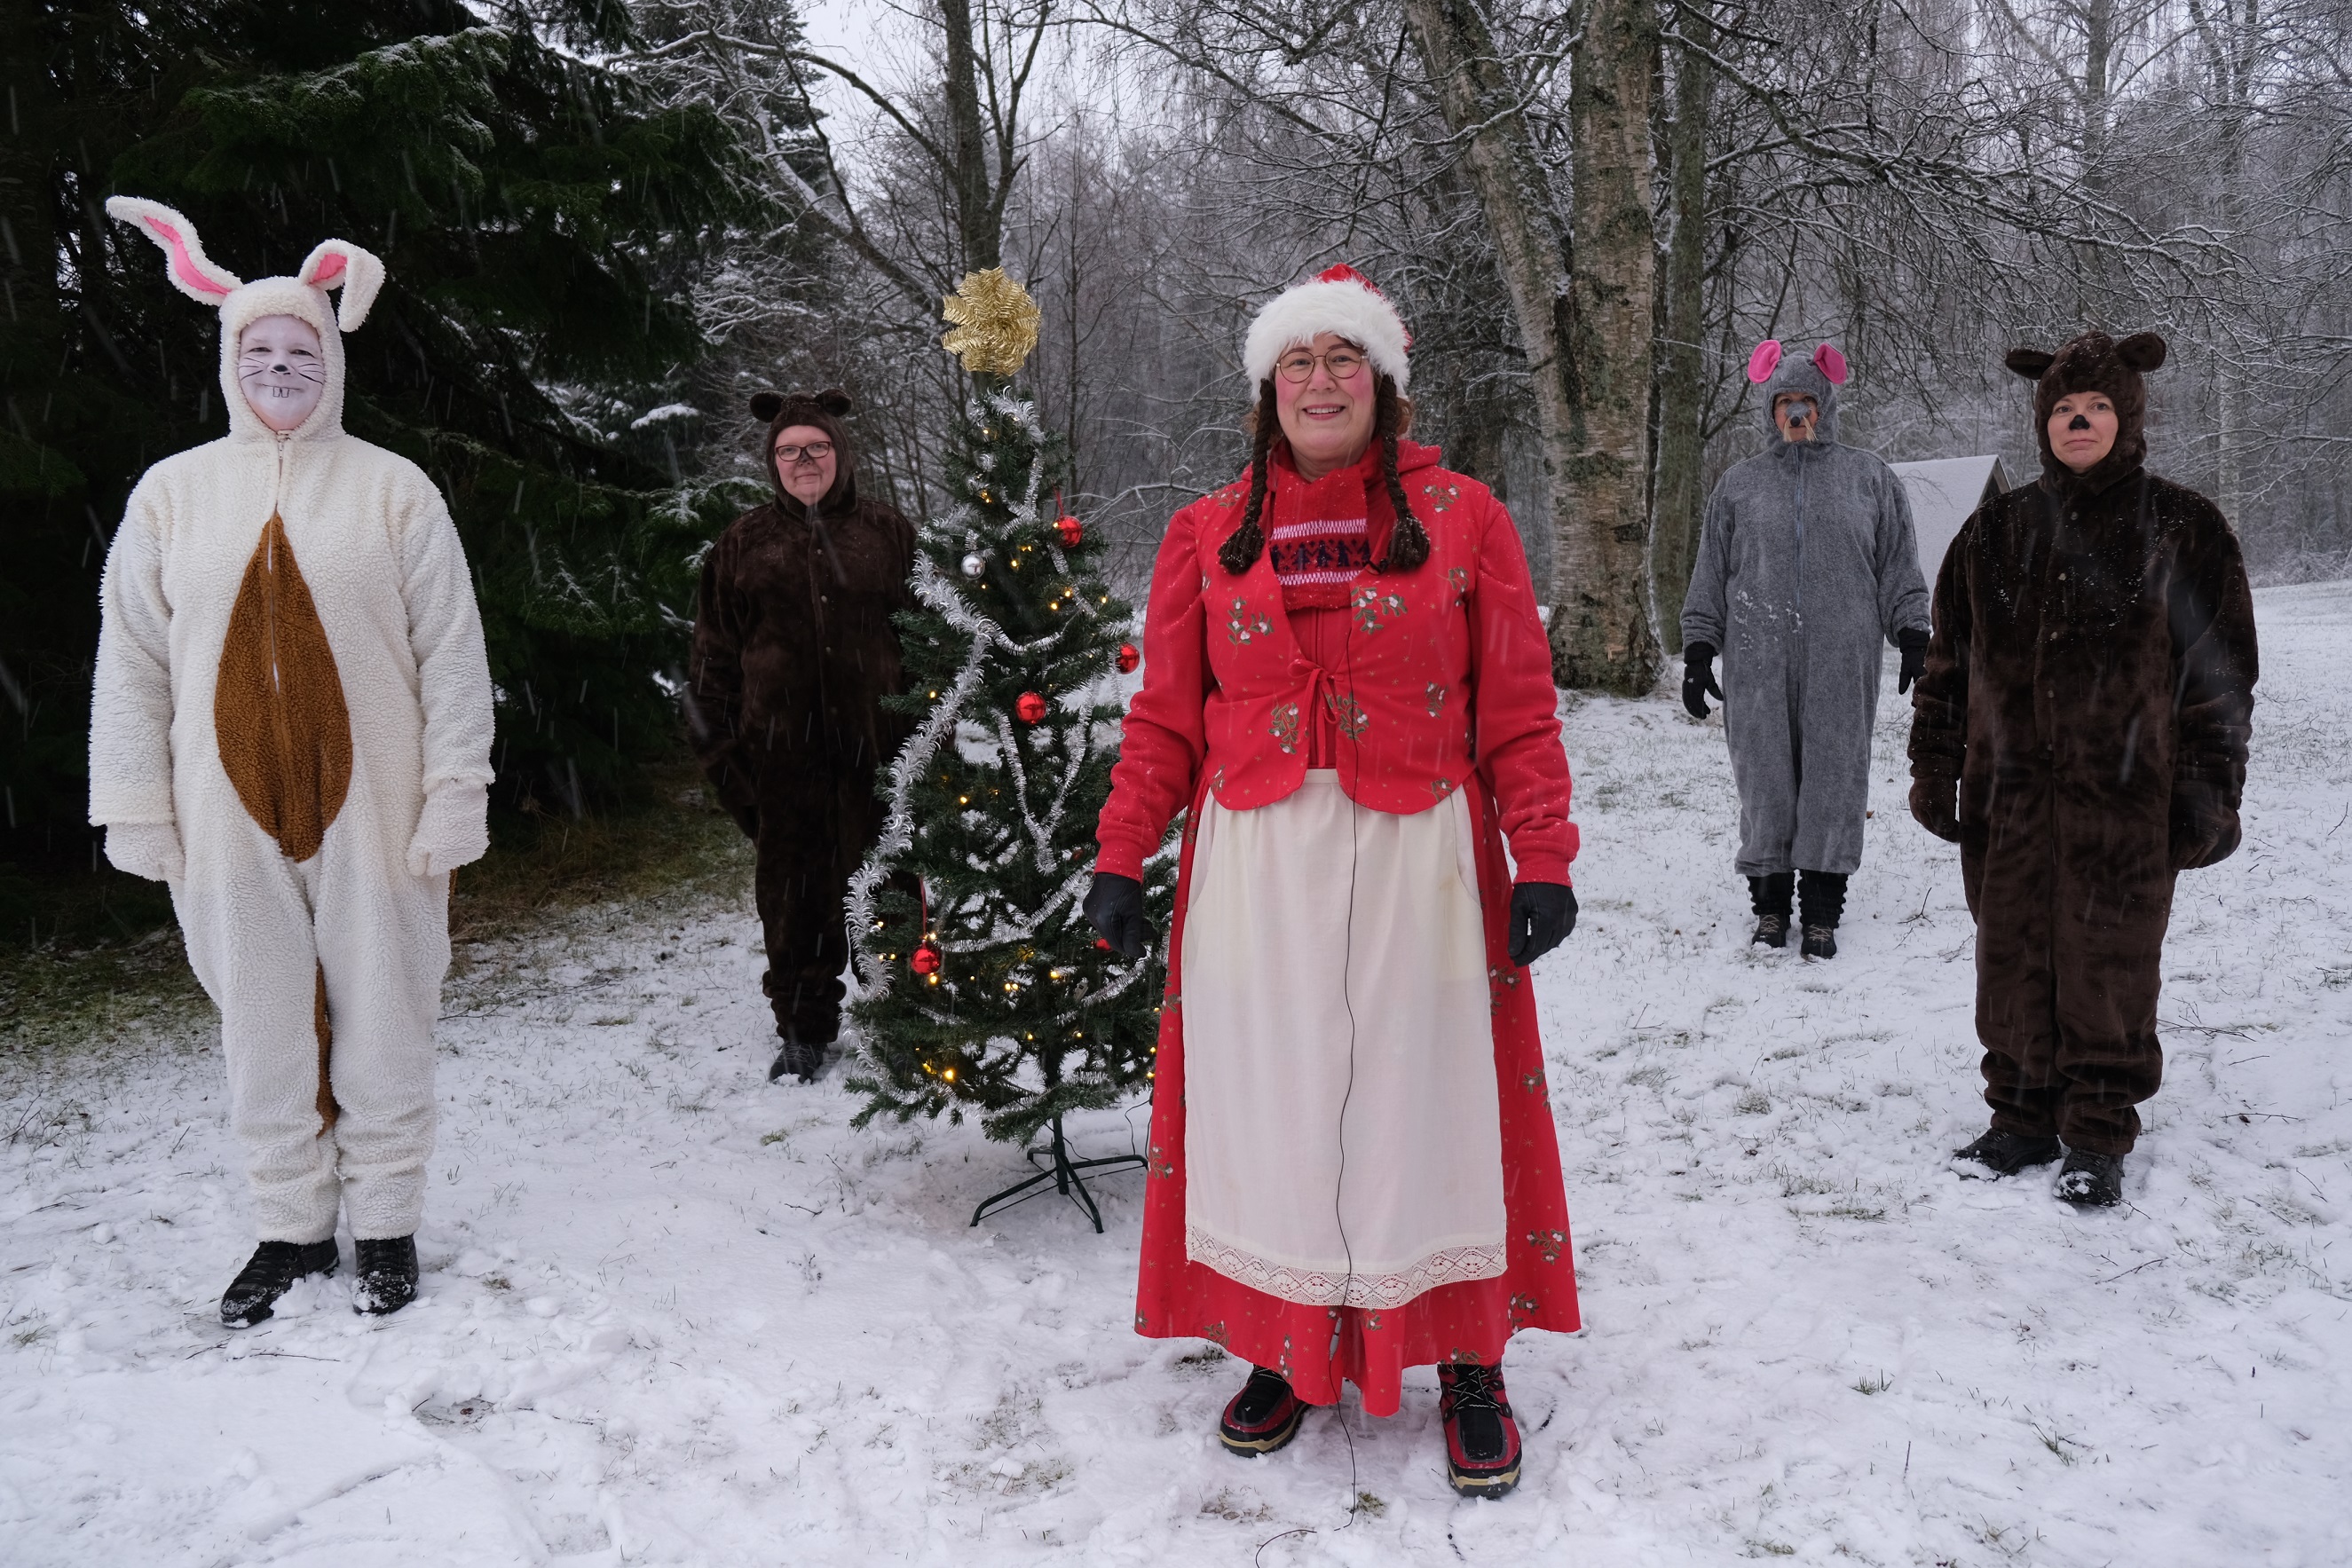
pixel 1311 1346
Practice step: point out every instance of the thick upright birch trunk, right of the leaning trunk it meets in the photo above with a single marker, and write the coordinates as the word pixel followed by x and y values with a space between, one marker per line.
pixel 1601 636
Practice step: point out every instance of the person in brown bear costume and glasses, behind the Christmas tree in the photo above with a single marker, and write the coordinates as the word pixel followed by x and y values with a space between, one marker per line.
pixel 794 652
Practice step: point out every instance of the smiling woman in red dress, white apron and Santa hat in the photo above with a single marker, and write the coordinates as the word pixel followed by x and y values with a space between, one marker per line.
pixel 1349 692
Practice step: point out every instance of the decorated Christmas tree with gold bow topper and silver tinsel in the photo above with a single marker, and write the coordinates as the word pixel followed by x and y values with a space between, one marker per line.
pixel 982 984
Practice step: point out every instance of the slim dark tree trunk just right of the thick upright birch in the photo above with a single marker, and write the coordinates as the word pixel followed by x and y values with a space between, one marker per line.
pixel 1681 497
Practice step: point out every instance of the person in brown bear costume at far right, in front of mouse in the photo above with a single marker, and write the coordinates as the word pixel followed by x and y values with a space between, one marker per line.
pixel 2080 732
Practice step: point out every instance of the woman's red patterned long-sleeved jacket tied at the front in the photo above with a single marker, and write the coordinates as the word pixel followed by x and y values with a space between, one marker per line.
pixel 1445 671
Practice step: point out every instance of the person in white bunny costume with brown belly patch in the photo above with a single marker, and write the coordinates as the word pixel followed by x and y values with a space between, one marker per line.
pixel 293 728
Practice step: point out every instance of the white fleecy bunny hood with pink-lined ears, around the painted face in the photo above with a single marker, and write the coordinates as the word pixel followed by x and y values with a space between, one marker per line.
pixel 333 264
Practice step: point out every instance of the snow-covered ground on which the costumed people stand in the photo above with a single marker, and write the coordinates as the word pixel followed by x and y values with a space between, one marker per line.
pixel 676 1315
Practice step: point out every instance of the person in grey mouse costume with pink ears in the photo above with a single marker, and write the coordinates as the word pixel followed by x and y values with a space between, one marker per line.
pixel 1808 570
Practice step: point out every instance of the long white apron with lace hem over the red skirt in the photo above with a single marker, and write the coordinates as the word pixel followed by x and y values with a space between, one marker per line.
pixel 1342 1125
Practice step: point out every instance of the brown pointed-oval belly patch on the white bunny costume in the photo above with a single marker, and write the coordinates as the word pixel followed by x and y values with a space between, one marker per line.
pixel 279 711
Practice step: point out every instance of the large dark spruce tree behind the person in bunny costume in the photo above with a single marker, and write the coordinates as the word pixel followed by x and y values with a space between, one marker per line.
pixel 540 220
